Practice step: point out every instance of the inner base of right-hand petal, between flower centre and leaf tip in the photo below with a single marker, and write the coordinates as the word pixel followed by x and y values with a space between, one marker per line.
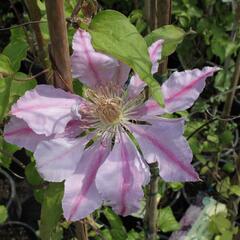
pixel 148 109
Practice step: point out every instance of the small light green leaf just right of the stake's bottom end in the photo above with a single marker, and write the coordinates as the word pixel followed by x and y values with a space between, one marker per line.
pixel 167 222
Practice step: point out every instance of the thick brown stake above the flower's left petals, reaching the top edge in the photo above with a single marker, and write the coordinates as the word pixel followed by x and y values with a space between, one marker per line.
pixel 59 50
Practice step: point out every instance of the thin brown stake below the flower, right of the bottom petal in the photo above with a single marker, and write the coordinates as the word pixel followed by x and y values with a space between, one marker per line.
pixel 150 219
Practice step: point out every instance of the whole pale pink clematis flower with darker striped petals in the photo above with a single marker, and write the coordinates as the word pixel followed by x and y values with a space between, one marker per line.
pixel 100 145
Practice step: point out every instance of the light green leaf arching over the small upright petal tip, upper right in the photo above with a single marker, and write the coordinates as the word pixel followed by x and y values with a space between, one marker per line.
pixel 171 35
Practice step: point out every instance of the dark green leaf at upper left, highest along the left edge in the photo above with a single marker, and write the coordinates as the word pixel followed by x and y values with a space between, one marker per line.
pixel 16 50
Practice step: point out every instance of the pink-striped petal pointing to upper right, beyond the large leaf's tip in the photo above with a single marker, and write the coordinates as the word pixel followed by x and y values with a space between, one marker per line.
pixel 183 88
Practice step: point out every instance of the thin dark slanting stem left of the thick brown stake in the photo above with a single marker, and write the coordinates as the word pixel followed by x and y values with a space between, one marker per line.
pixel 35 15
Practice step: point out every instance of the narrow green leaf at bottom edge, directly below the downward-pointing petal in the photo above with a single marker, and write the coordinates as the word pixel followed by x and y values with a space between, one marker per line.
pixel 117 230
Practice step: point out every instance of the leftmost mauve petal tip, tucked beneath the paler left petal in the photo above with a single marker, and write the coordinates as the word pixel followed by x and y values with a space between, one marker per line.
pixel 18 132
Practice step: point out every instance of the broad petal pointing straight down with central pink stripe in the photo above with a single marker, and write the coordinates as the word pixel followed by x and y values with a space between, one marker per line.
pixel 119 180
